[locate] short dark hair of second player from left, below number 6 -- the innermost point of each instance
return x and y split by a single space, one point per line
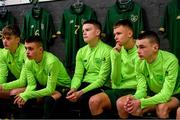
34 39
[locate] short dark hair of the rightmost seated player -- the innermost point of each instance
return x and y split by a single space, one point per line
150 35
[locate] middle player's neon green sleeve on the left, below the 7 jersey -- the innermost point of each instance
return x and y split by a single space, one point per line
79 72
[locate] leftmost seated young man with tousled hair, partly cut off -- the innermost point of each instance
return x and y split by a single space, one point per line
12 59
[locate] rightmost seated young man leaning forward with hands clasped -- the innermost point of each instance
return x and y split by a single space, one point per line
156 73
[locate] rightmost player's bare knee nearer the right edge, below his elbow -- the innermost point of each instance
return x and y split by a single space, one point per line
162 111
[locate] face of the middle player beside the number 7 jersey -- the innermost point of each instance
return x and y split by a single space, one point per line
90 33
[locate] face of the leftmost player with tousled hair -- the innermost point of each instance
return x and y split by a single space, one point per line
10 41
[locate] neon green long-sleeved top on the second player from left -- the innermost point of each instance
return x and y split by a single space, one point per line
49 73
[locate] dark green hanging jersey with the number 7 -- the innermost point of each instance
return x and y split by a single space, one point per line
71 31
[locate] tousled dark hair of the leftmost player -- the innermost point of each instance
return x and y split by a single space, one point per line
11 30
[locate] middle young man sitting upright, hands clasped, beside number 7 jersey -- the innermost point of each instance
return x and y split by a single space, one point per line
92 68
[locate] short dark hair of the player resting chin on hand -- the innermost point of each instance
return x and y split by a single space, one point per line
124 22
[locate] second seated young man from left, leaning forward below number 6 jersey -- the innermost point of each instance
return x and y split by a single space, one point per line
47 79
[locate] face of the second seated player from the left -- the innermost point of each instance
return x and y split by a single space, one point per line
33 50
